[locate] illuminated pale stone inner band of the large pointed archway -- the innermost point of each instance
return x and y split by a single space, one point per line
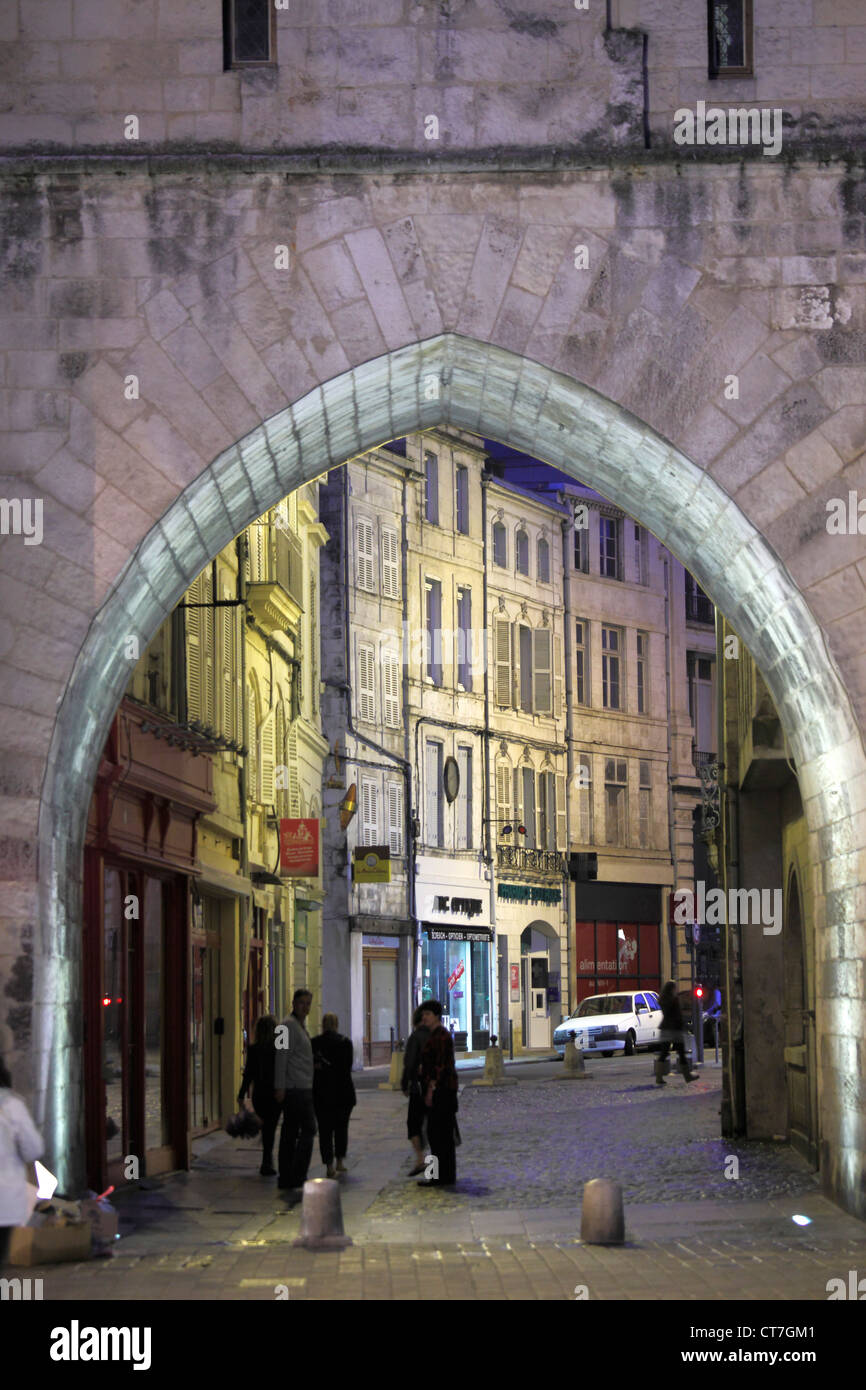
464 383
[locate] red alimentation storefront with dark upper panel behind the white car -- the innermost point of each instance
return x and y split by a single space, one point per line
616 939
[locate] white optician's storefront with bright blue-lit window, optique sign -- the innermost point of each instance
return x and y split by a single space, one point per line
457 949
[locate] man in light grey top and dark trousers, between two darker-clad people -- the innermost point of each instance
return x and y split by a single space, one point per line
294 1090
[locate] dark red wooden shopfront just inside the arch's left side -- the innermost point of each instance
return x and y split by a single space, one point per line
154 783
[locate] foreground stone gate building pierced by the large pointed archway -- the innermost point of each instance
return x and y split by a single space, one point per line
230 265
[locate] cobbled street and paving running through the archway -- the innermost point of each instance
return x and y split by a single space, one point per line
511 1229
